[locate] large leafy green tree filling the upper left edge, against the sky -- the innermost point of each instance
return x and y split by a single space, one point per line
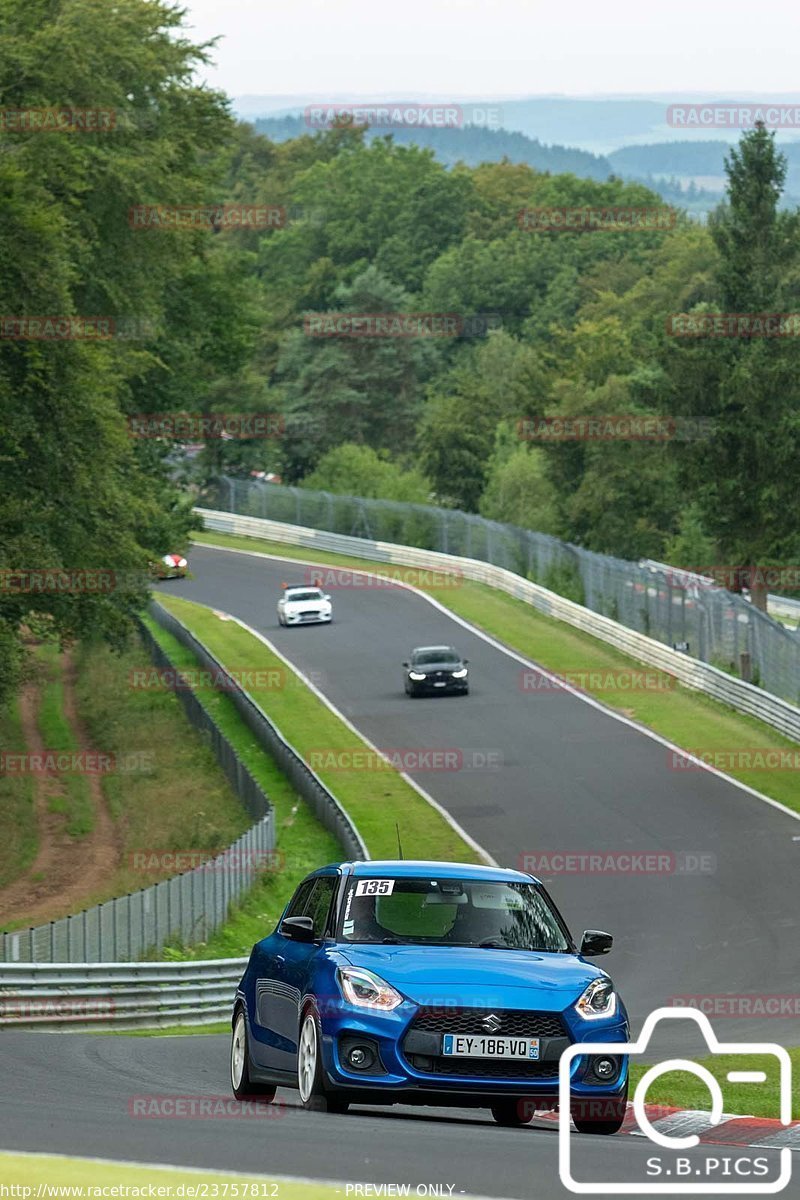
75 494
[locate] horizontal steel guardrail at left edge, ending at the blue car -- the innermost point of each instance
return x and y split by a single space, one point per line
129 997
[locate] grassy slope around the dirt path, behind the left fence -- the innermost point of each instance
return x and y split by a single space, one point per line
181 803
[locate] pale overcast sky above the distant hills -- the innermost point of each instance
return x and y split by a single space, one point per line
501 47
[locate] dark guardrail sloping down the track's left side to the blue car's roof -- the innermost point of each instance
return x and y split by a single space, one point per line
306 783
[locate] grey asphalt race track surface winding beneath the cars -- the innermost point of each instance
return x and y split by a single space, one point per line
539 771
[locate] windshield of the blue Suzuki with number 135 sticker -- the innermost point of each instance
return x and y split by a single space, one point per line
452 913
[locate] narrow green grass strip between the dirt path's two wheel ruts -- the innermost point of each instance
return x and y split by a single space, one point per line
75 802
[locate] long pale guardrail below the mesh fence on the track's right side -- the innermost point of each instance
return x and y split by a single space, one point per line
691 673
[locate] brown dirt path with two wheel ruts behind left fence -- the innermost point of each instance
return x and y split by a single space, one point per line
67 872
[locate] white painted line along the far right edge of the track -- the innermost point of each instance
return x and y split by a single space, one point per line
528 663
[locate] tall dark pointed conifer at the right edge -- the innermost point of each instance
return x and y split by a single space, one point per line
744 478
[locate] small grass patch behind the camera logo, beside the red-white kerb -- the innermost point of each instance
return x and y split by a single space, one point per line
684 1091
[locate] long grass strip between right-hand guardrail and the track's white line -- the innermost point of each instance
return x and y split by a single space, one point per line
683 717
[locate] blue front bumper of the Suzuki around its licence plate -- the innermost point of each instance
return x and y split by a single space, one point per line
408 1069
